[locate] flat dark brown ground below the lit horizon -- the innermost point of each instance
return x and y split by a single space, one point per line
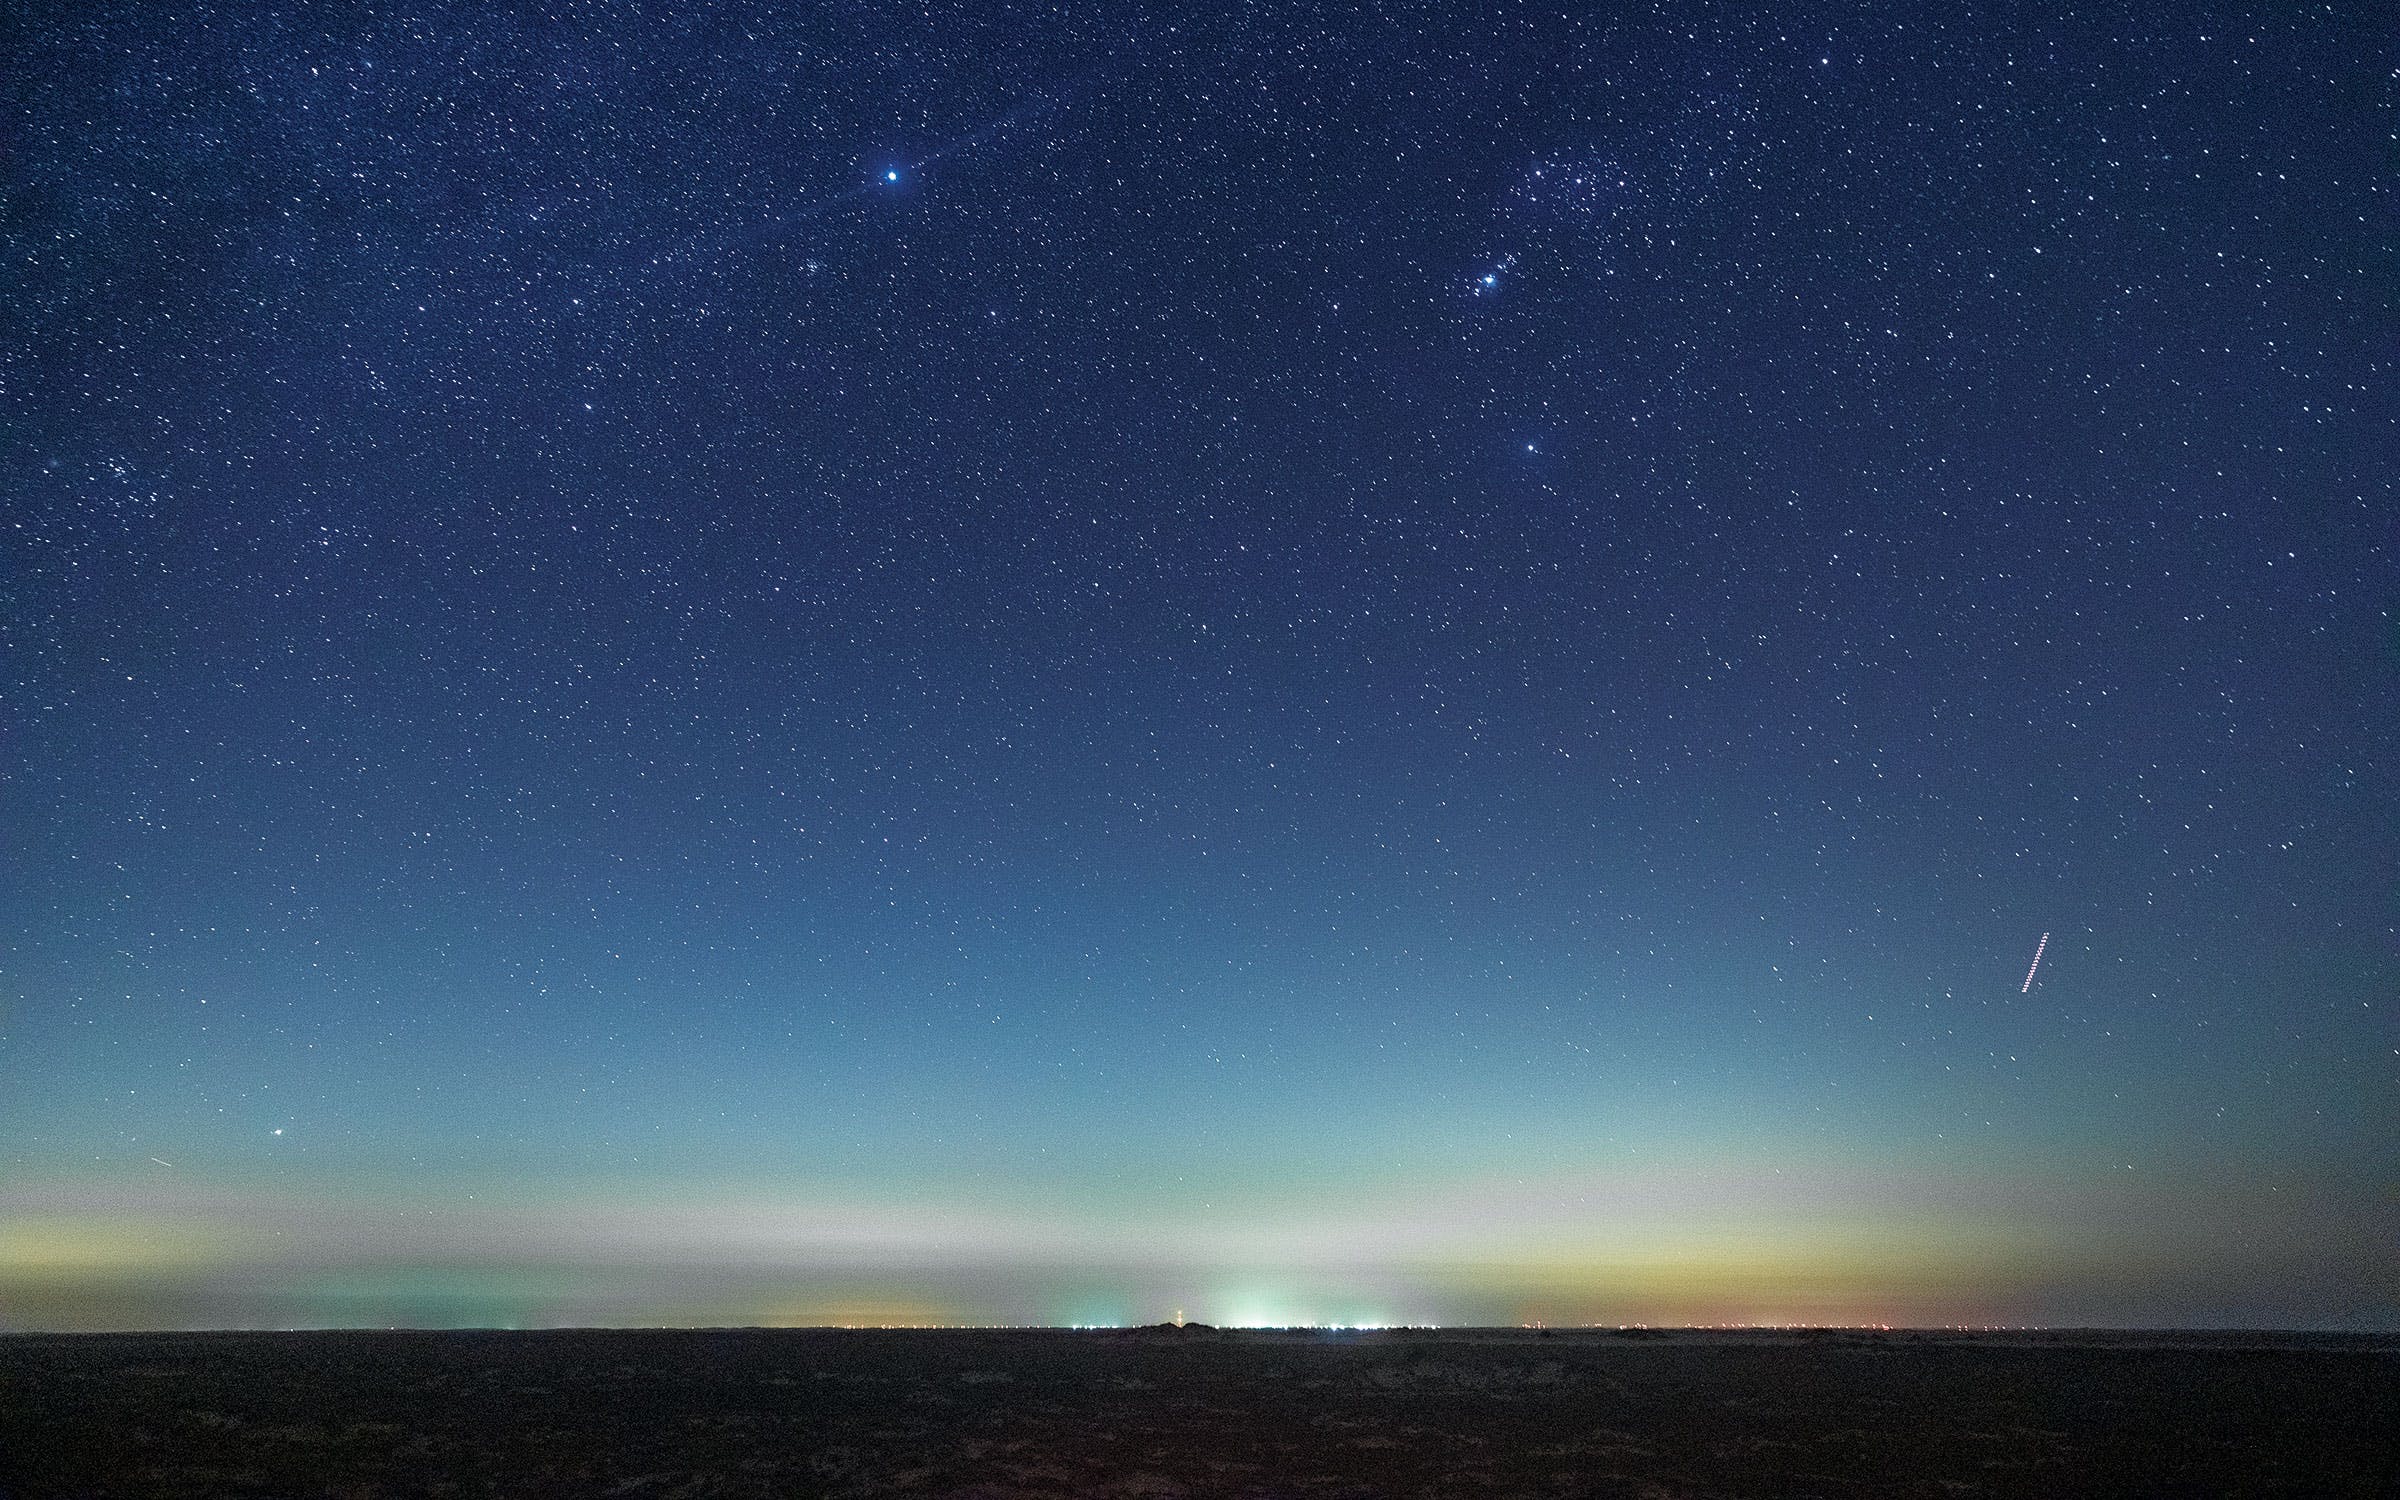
1163 1412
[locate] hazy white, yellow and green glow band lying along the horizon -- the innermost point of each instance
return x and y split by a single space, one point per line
1691 1247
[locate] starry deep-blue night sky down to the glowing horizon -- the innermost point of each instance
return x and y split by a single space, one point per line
1398 664
